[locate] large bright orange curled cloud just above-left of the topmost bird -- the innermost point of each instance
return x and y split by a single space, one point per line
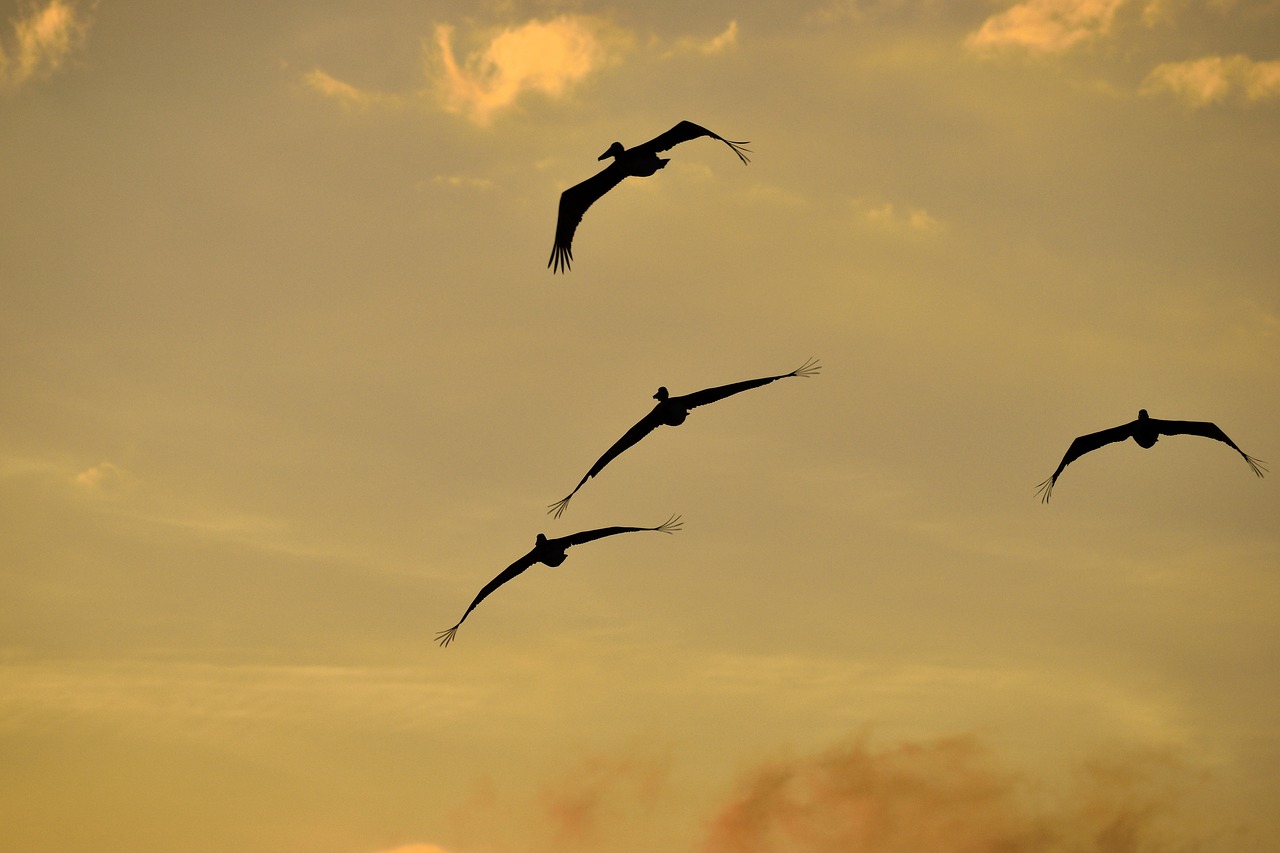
543 57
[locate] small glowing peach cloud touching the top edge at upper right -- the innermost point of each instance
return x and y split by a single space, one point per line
1045 26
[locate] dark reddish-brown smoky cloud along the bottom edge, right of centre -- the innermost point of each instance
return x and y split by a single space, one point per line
948 796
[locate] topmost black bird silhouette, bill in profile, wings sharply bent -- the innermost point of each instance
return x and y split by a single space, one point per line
641 162
